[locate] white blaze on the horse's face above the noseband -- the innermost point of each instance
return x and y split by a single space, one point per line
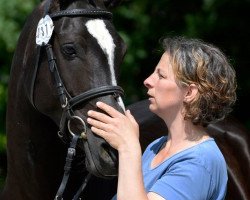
98 30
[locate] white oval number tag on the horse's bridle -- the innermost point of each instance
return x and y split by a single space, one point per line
44 30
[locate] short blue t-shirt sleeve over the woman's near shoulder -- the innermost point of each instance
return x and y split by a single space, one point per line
184 181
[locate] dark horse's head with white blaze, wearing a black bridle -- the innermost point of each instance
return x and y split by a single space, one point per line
86 52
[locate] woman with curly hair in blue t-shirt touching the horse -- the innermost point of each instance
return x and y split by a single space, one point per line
192 85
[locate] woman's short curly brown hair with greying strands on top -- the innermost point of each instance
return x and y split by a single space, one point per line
204 65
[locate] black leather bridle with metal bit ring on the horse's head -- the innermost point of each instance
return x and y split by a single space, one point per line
66 100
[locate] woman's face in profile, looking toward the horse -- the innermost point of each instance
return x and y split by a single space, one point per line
165 95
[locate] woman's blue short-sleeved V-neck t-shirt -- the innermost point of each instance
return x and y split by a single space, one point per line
197 173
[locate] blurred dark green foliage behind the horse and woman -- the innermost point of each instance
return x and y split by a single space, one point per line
141 23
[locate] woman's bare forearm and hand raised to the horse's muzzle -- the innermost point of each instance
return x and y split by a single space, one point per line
122 133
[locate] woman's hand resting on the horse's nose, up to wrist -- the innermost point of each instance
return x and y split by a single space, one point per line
119 130
